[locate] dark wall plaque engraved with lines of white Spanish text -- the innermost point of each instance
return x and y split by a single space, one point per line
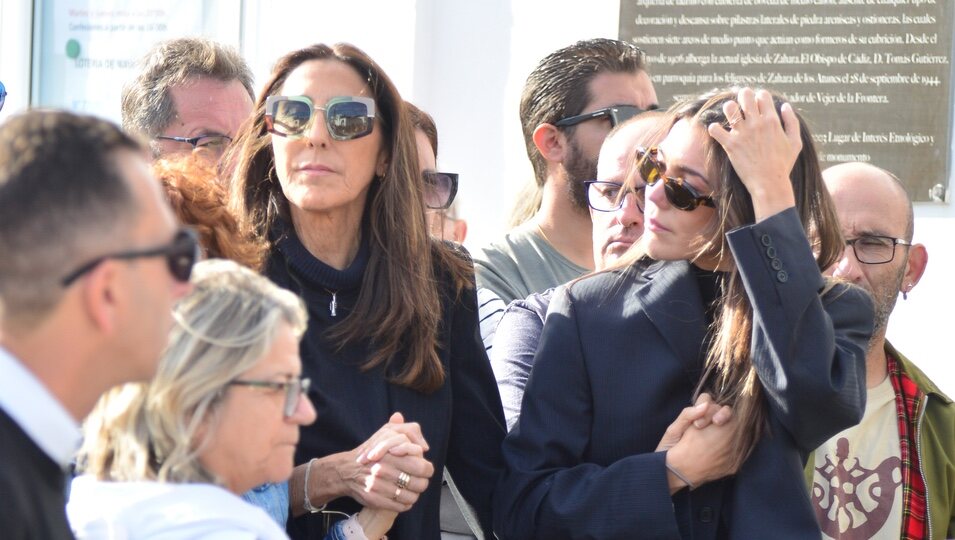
872 77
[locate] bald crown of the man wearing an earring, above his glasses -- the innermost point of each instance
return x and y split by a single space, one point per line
876 193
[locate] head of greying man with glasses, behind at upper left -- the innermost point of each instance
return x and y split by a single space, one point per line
191 94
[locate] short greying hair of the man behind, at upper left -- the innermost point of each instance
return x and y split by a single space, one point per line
147 105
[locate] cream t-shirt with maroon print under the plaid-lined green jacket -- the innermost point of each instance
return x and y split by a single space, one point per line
857 483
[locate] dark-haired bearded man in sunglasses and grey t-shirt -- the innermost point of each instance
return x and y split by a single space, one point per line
570 102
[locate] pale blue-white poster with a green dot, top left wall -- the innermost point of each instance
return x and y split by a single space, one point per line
86 50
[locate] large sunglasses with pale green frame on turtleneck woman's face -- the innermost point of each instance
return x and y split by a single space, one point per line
346 118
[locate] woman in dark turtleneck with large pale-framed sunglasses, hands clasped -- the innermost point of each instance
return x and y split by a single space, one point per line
327 172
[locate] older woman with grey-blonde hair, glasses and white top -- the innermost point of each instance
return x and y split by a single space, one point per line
169 458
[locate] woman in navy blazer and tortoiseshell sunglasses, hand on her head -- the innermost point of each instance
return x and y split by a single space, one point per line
723 295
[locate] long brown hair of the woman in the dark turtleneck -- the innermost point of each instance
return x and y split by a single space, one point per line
399 304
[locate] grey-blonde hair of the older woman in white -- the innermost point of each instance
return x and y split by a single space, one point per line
225 326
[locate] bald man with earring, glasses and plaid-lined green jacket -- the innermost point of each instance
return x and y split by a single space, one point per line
891 475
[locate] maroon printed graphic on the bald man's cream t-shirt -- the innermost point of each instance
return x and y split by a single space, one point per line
852 501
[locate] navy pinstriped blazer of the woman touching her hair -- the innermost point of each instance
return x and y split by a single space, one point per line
620 357
